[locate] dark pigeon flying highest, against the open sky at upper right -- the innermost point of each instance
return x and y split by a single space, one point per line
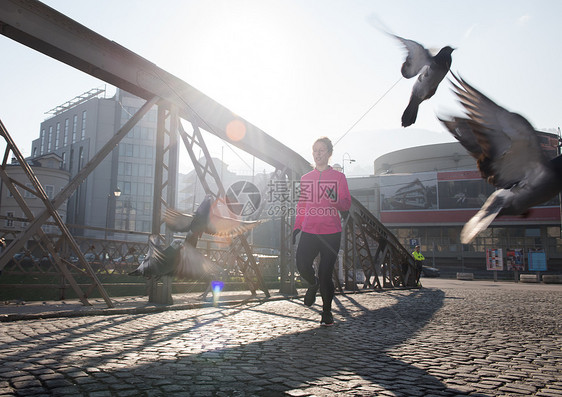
430 71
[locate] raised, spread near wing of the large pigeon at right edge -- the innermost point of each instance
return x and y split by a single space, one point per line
507 140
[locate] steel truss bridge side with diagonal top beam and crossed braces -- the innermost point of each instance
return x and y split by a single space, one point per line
367 245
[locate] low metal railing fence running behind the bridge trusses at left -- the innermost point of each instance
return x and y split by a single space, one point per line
32 268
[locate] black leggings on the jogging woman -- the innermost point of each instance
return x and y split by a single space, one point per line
327 245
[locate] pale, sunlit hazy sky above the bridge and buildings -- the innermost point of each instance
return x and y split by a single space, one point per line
299 69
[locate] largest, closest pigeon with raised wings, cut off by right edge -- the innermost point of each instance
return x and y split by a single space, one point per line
509 156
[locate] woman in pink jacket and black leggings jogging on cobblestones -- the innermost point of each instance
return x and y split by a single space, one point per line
323 192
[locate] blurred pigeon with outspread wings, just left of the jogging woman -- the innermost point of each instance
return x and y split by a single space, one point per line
207 220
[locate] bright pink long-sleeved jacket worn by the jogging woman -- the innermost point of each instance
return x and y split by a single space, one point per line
322 195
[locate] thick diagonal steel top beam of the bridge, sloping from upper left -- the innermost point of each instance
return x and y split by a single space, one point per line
46 30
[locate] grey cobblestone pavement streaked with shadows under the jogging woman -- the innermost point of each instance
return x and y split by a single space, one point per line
448 338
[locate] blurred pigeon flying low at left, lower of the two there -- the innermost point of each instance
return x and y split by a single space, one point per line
178 259
